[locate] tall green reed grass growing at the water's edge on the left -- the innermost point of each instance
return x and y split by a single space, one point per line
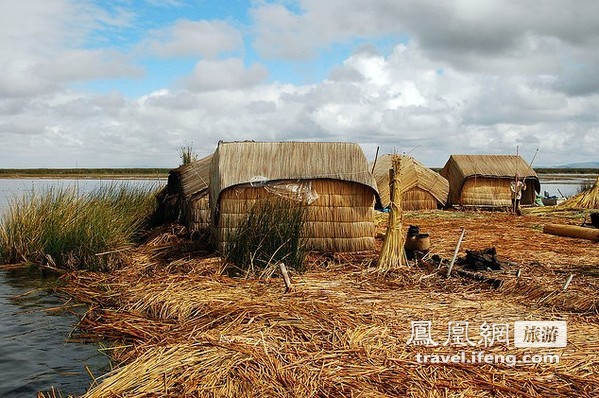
69 230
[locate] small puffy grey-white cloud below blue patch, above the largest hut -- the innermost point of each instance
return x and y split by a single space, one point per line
230 74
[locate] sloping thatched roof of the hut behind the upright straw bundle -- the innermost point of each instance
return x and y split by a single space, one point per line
413 175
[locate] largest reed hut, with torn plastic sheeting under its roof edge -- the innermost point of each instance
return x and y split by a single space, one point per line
332 179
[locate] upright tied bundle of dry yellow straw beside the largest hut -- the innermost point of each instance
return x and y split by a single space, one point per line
392 253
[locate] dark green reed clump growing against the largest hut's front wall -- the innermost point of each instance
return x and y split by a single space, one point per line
271 233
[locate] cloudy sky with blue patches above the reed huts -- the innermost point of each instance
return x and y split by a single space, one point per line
128 83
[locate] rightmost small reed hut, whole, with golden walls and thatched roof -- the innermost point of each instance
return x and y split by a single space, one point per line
484 180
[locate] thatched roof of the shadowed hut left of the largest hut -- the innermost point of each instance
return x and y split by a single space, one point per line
193 179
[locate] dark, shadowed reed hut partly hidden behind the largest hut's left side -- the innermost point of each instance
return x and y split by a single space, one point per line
186 196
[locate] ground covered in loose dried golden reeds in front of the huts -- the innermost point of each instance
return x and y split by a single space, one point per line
180 328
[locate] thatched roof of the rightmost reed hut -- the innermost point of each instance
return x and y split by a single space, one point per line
459 168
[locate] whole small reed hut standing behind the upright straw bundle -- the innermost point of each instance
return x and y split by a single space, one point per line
421 187
